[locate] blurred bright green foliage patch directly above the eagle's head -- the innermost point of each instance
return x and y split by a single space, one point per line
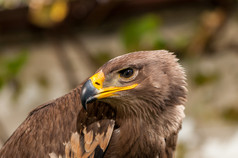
138 33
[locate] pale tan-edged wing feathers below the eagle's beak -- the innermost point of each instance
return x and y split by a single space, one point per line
83 146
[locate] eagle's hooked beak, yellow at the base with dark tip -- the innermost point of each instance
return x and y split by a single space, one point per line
93 89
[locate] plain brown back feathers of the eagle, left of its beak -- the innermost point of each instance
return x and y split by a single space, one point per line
45 129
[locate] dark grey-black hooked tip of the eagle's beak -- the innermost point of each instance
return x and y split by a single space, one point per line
88 93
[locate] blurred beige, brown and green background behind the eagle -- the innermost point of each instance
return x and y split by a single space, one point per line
48 47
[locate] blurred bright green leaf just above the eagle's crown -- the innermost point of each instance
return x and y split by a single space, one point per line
135 30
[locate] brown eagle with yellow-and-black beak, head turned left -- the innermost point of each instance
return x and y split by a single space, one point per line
132 106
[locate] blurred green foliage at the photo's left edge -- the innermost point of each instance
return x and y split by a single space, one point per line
9 67
